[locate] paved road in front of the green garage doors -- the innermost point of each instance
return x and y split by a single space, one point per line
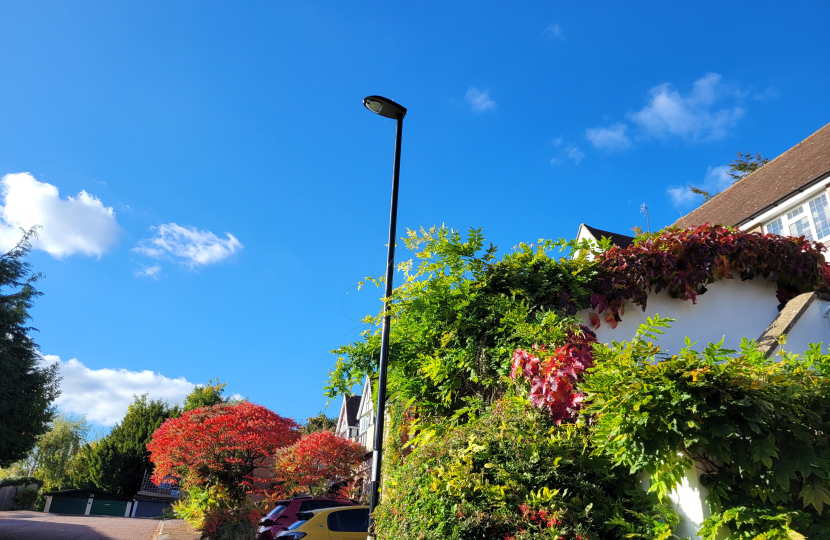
21 525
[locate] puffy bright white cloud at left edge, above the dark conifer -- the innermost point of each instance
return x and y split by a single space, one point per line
80 224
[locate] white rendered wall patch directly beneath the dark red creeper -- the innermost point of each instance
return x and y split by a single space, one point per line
730 307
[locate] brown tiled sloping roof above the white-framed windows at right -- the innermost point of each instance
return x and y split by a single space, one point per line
802 165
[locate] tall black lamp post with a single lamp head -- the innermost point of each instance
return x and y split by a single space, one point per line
389 109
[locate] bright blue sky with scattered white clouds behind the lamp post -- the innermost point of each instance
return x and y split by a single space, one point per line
228 188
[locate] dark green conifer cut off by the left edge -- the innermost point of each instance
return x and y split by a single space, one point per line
27 388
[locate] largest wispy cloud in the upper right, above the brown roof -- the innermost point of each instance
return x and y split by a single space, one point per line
691 116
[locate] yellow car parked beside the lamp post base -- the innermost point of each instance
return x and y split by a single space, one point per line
340 523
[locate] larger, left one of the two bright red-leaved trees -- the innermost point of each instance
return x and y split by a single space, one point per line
220 445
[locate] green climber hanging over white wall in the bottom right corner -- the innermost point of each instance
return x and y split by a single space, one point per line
757 428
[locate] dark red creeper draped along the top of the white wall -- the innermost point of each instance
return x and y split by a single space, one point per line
684 262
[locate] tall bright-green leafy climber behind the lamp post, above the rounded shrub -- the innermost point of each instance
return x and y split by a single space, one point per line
460 314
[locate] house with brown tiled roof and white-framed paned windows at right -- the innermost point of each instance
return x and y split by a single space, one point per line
787 196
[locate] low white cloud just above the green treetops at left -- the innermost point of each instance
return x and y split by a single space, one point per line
103 395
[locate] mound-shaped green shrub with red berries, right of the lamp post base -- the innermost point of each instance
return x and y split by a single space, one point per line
512 474
